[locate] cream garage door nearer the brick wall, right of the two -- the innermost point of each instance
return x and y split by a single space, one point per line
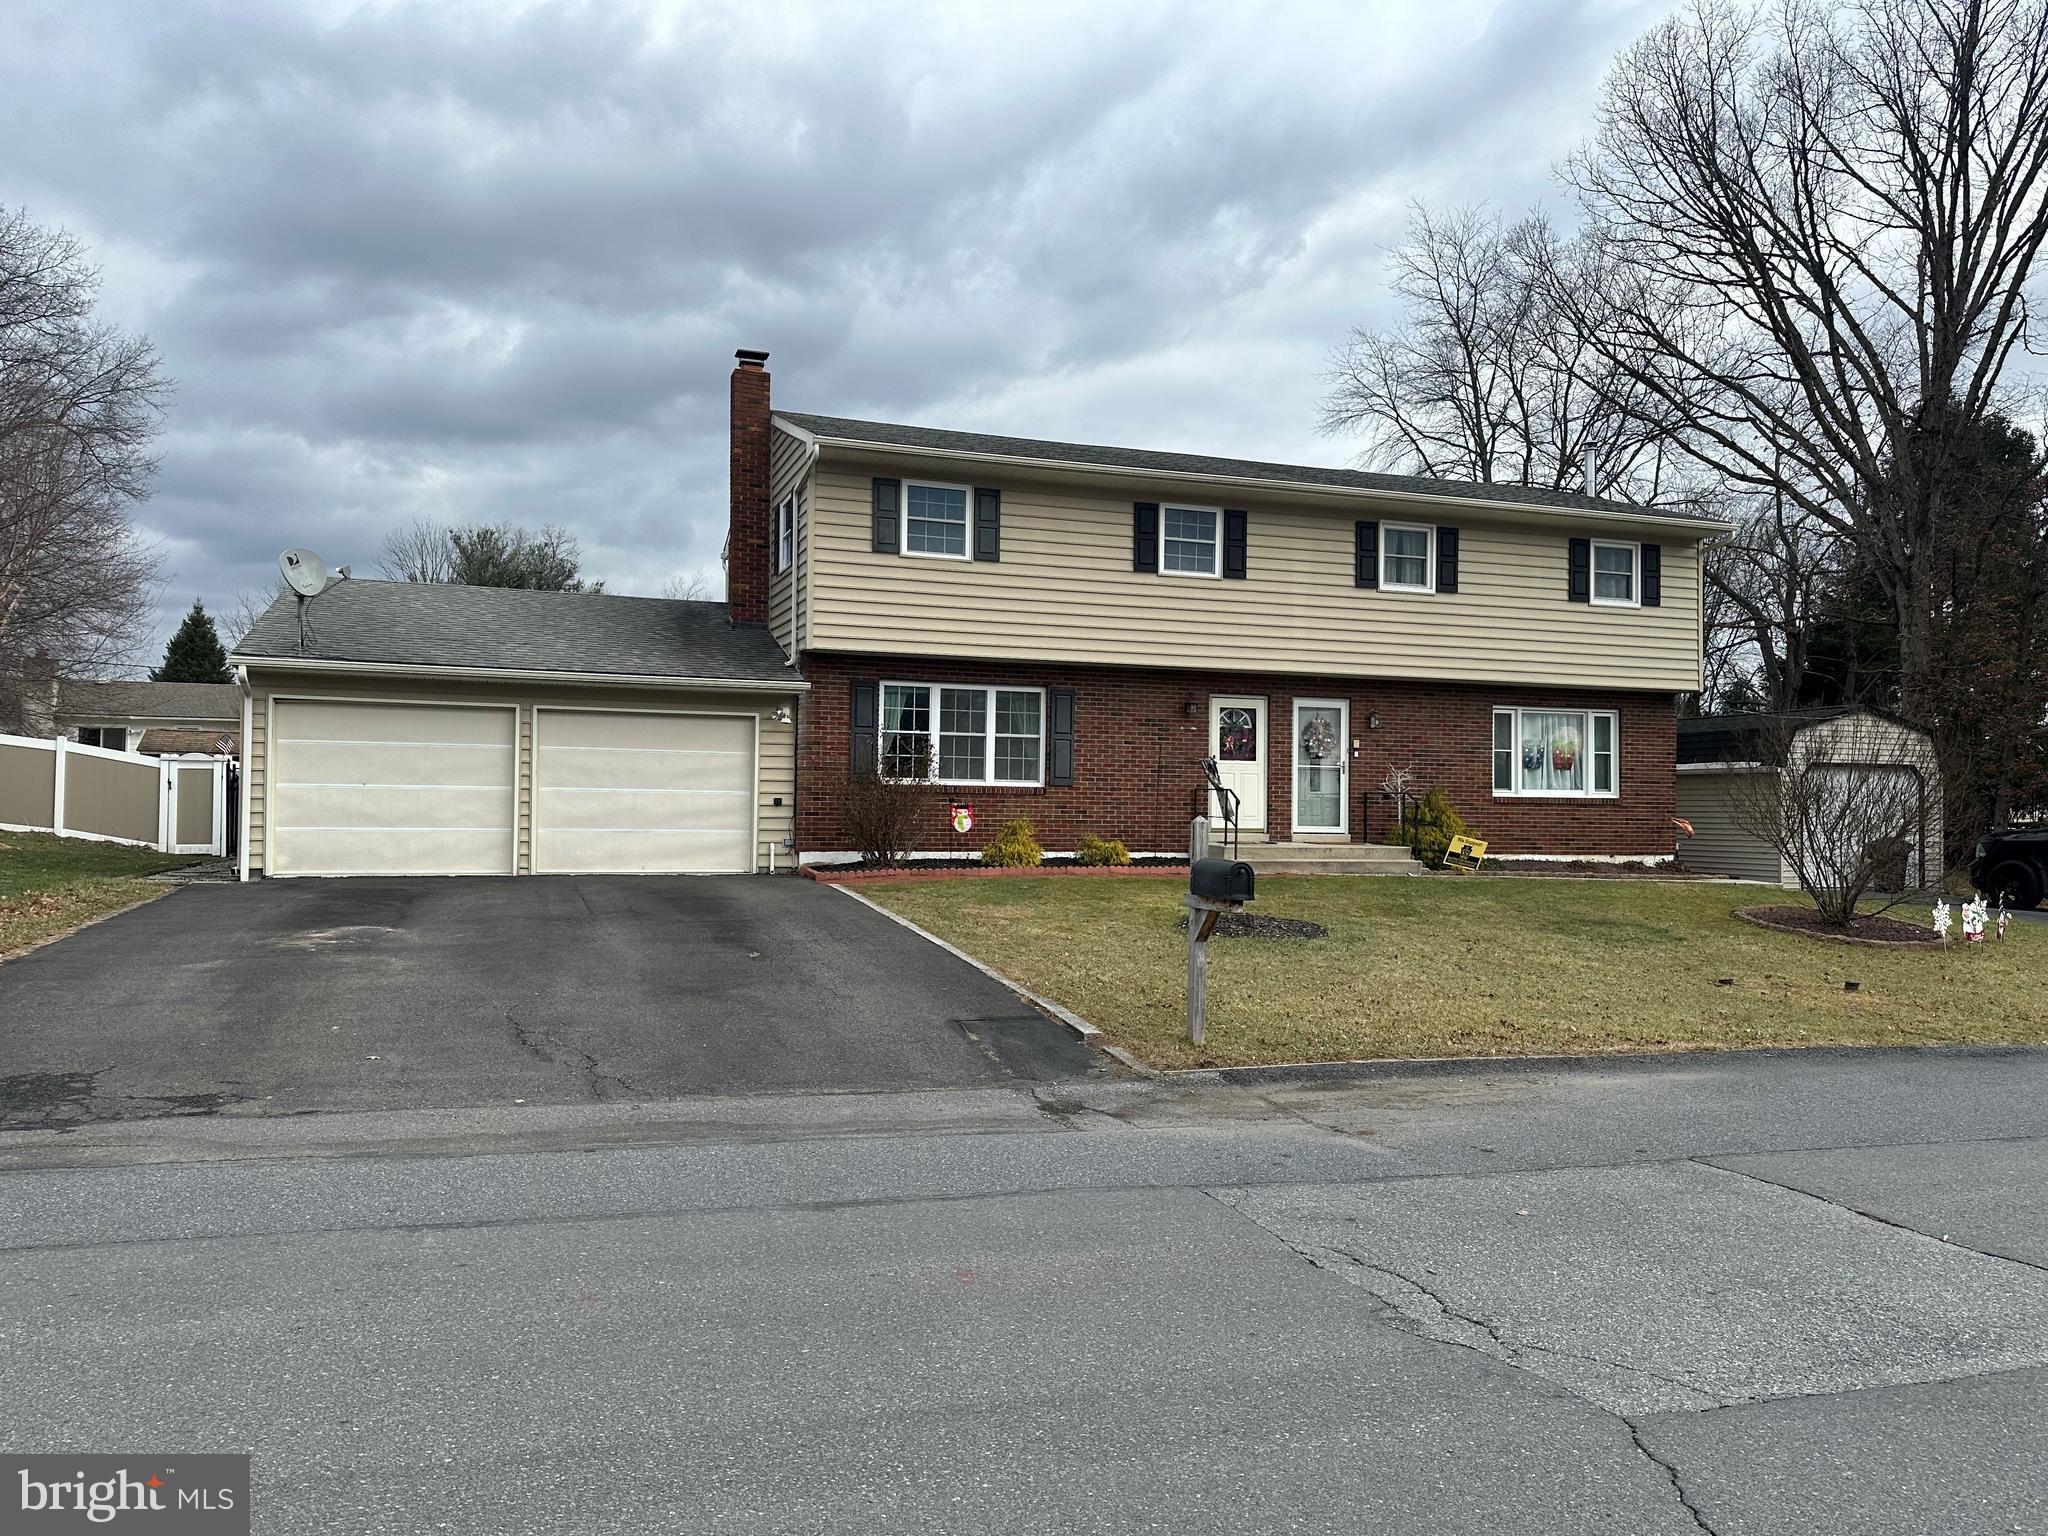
617 792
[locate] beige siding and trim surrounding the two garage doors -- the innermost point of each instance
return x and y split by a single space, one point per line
777 742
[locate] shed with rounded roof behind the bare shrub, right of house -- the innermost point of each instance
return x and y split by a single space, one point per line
1717 755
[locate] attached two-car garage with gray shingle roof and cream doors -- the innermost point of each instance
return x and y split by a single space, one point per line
419 728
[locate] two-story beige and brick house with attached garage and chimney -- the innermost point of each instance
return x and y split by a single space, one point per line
1052 630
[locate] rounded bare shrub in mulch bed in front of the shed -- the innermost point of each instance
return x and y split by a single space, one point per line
1840 810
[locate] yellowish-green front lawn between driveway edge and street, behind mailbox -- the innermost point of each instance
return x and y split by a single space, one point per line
1447 968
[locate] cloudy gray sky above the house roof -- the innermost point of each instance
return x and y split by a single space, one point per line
490 261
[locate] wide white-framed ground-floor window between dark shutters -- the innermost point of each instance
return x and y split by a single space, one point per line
964 736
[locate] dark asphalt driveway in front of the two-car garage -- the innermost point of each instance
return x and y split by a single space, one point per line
294 996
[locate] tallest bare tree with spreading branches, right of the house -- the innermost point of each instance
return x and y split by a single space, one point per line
1818 232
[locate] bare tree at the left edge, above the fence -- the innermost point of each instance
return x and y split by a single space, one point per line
79 411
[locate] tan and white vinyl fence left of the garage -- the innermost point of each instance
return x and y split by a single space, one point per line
177 806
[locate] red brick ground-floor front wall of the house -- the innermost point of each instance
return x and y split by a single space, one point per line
1138 761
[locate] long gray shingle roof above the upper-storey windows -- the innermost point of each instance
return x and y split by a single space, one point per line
888 435
